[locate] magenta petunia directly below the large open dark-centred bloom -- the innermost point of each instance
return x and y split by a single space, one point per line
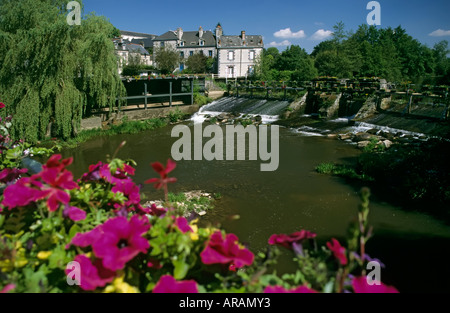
92 275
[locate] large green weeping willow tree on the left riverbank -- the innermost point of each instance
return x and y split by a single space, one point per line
51 73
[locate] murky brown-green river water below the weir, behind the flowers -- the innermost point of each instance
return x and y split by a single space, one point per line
414 246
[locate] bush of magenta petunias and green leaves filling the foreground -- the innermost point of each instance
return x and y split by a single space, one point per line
49 222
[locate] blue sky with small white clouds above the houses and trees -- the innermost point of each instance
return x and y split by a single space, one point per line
298 22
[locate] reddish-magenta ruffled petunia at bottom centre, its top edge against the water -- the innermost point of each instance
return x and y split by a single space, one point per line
226 251
